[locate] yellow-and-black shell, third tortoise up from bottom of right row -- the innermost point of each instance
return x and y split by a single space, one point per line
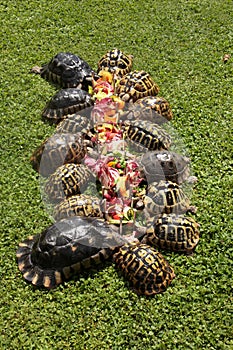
166 197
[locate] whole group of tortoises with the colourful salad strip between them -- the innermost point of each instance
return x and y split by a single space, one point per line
114 184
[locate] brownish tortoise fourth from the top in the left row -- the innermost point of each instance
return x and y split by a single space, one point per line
57 150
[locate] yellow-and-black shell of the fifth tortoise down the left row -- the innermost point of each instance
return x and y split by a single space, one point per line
68 180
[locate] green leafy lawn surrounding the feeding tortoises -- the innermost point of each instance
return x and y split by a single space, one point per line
181 43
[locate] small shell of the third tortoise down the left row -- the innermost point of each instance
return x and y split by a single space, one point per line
73 124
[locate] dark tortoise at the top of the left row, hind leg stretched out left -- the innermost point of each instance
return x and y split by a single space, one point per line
67 70
